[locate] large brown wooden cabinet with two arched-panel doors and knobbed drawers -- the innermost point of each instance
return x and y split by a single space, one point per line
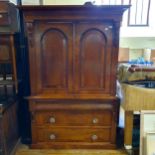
73 53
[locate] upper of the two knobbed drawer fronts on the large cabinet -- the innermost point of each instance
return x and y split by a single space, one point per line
74 117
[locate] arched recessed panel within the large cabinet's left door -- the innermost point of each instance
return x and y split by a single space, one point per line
54 61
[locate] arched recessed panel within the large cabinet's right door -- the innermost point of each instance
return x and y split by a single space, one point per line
91 56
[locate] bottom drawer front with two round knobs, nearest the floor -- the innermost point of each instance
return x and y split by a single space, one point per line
70 134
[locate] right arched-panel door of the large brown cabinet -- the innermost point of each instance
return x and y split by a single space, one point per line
93 54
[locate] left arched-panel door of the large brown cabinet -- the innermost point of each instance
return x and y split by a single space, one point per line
54 57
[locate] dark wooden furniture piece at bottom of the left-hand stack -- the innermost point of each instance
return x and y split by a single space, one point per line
8 126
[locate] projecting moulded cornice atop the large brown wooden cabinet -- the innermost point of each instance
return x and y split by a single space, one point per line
73 12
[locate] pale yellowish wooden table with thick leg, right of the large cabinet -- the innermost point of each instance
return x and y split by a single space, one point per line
135 100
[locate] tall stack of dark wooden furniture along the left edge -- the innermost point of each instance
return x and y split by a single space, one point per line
8 79
